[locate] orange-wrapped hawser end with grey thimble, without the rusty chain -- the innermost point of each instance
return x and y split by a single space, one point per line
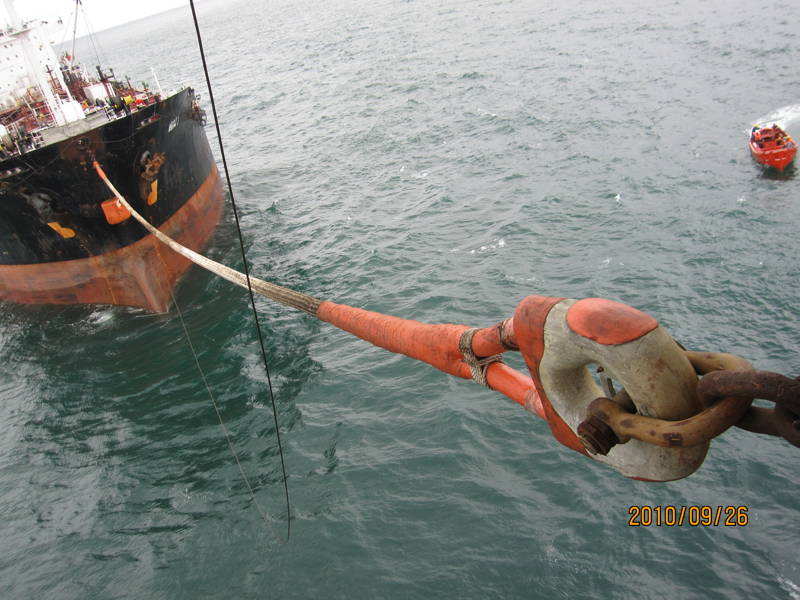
558 338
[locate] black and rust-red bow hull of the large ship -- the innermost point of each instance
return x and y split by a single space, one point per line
59 243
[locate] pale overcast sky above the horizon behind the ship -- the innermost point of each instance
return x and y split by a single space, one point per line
101 14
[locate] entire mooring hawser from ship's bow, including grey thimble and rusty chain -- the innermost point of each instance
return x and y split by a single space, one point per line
656 428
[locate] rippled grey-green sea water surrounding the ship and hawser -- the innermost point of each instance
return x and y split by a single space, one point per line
437 161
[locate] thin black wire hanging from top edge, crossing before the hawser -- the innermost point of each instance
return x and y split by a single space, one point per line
244 261
